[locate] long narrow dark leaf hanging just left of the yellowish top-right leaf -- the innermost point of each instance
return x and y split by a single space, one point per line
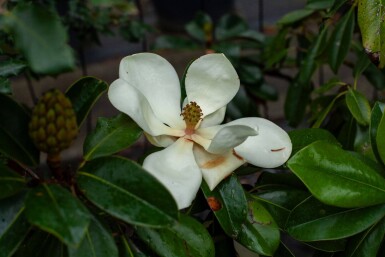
340 40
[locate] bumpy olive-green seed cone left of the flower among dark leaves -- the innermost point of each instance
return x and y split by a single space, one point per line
53 124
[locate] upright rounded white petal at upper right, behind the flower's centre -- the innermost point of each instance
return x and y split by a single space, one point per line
211 81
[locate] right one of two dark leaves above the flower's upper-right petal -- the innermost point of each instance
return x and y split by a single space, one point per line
229 26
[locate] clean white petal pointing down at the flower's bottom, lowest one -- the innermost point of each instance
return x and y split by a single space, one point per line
176 168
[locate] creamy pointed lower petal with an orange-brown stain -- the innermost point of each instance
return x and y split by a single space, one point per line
216 167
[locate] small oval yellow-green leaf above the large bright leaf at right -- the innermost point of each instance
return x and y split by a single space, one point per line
359 106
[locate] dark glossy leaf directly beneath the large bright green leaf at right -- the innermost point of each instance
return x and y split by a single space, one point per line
314 221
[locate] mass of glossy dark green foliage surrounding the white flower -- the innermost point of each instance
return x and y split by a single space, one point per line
329 198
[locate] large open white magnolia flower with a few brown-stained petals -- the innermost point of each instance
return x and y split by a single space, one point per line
148 91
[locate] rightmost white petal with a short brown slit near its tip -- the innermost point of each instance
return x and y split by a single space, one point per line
269 149
